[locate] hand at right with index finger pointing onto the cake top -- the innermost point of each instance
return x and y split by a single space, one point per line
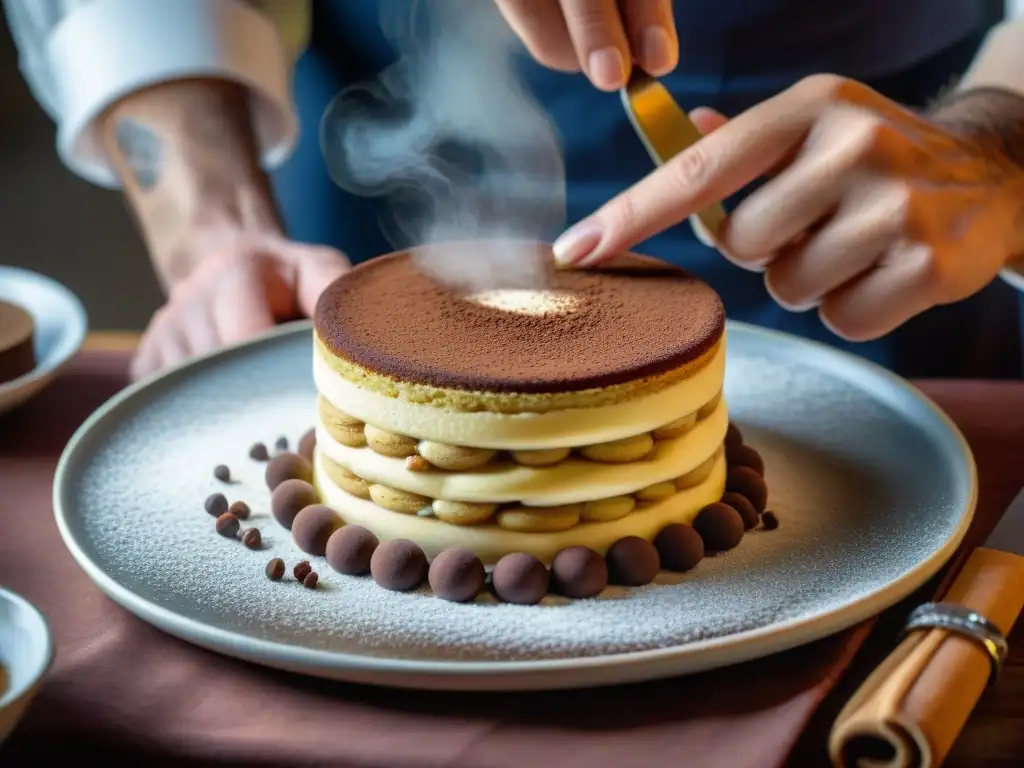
871 214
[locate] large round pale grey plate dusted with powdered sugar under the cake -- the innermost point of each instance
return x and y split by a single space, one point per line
874 486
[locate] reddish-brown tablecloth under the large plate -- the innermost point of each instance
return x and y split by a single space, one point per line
121 691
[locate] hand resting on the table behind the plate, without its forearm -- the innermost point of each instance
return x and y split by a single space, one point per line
240 288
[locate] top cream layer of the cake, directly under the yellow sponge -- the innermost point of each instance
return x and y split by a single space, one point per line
528 432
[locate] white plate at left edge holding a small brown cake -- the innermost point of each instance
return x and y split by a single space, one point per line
61 329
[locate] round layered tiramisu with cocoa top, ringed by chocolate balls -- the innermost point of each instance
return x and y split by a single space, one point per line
562 439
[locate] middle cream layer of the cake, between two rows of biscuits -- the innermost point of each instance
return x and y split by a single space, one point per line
571 481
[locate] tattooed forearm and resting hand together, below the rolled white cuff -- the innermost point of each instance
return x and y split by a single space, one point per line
187 154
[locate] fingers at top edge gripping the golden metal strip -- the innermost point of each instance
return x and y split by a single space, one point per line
603 38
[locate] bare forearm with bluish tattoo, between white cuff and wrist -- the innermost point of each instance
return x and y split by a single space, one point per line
189 156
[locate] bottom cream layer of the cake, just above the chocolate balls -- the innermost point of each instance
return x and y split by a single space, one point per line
491 542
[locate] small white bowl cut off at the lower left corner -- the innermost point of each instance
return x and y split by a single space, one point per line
26 654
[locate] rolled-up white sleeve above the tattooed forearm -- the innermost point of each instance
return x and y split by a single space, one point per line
81 57
